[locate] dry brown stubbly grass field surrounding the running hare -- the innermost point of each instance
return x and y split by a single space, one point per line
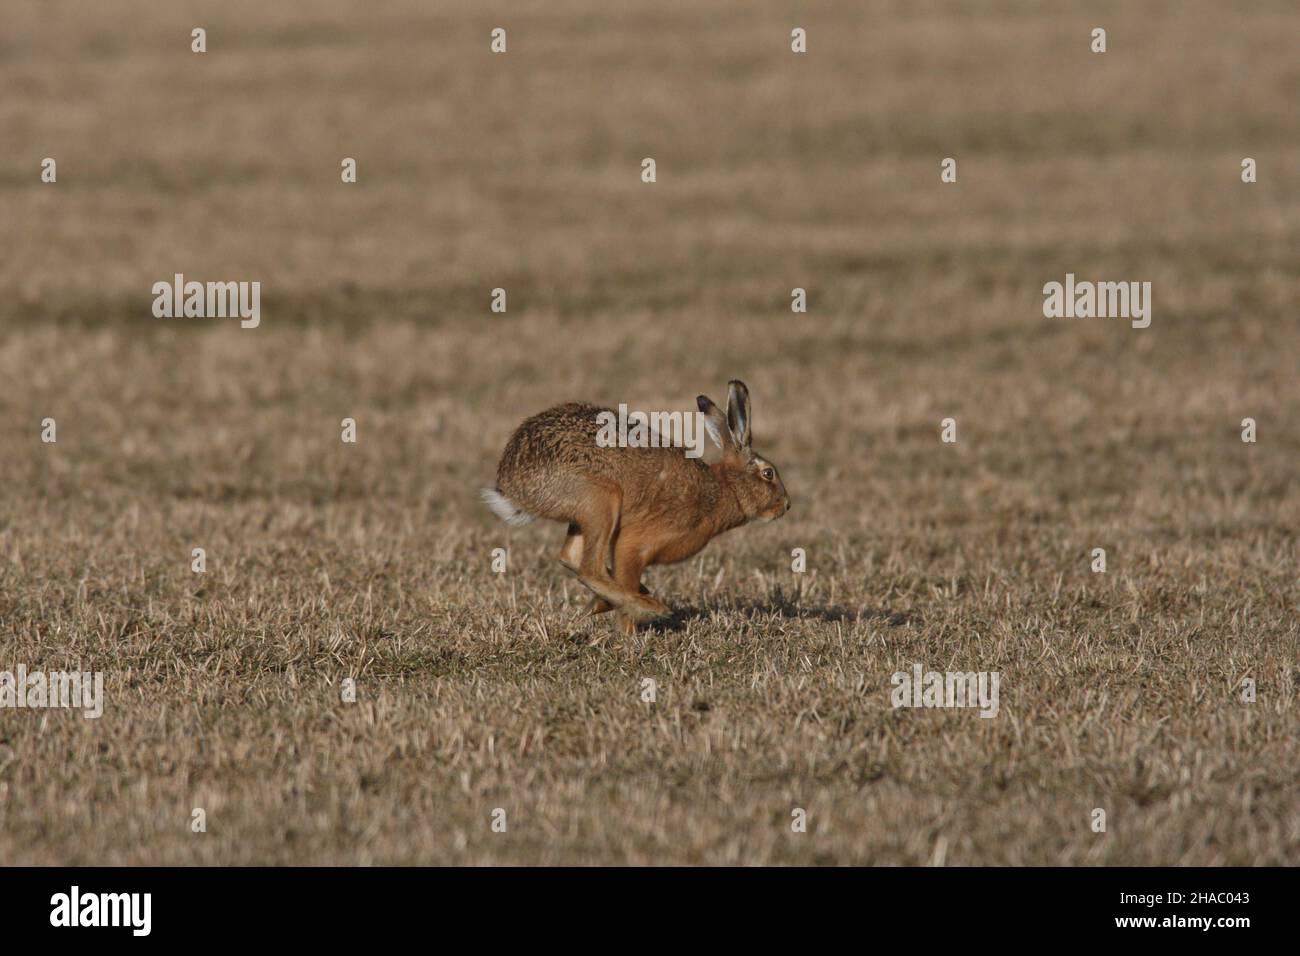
522 171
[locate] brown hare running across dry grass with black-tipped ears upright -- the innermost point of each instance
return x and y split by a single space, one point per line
630 508
